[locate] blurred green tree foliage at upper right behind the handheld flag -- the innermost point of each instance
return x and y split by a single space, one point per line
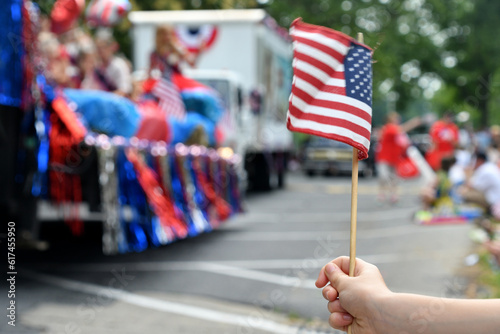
423 48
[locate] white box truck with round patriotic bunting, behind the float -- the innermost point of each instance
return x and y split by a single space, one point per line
247 58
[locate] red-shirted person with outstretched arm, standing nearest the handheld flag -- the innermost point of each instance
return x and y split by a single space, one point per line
392 145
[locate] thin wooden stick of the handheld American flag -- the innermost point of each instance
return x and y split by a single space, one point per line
354 205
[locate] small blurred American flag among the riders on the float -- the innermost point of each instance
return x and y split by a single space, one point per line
170 98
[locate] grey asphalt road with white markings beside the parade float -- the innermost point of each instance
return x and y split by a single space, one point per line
253 275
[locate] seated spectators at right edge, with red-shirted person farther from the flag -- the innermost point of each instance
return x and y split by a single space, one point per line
468 172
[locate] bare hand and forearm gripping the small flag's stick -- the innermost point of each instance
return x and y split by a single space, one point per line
370 307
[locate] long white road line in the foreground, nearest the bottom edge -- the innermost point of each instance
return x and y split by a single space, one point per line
165 306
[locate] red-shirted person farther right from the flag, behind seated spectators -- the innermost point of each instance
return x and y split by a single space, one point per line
444 135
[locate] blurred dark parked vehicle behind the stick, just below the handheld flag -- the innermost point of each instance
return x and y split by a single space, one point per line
330 157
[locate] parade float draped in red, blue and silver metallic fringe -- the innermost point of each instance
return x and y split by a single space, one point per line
84 155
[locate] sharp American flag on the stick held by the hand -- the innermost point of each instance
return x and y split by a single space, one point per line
332 86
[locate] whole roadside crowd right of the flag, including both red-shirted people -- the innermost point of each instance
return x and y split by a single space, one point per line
466 166
